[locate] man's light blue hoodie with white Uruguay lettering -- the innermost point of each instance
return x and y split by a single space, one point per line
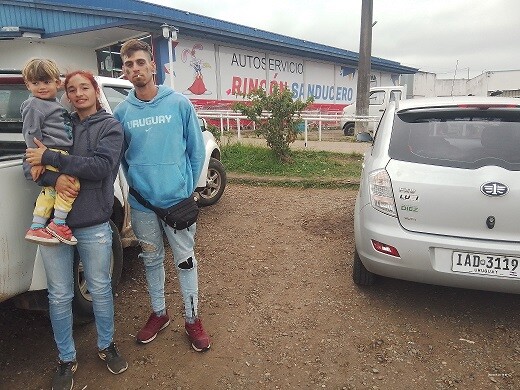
163 148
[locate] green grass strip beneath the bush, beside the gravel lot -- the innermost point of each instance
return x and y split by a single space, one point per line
307 168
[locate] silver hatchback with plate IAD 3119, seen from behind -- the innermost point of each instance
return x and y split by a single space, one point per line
439 198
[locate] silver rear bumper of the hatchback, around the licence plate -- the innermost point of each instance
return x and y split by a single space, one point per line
425 258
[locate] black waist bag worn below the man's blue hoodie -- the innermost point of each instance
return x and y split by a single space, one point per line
179 216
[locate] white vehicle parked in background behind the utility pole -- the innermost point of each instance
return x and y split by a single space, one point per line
378 100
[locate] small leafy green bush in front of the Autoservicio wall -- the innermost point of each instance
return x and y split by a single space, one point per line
275 116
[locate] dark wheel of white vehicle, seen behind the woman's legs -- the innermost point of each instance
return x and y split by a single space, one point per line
82 303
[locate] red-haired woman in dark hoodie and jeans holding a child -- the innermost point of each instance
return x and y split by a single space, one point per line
94 161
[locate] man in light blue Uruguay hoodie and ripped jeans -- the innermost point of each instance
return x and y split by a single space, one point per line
163 159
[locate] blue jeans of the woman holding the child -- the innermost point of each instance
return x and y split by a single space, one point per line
95 250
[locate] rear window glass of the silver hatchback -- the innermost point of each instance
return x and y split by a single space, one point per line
459 137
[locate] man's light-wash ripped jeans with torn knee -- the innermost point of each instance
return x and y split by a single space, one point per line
148 228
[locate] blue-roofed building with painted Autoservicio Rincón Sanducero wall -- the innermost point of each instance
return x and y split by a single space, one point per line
214 62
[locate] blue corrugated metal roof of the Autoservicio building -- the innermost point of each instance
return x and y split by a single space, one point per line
61 17
